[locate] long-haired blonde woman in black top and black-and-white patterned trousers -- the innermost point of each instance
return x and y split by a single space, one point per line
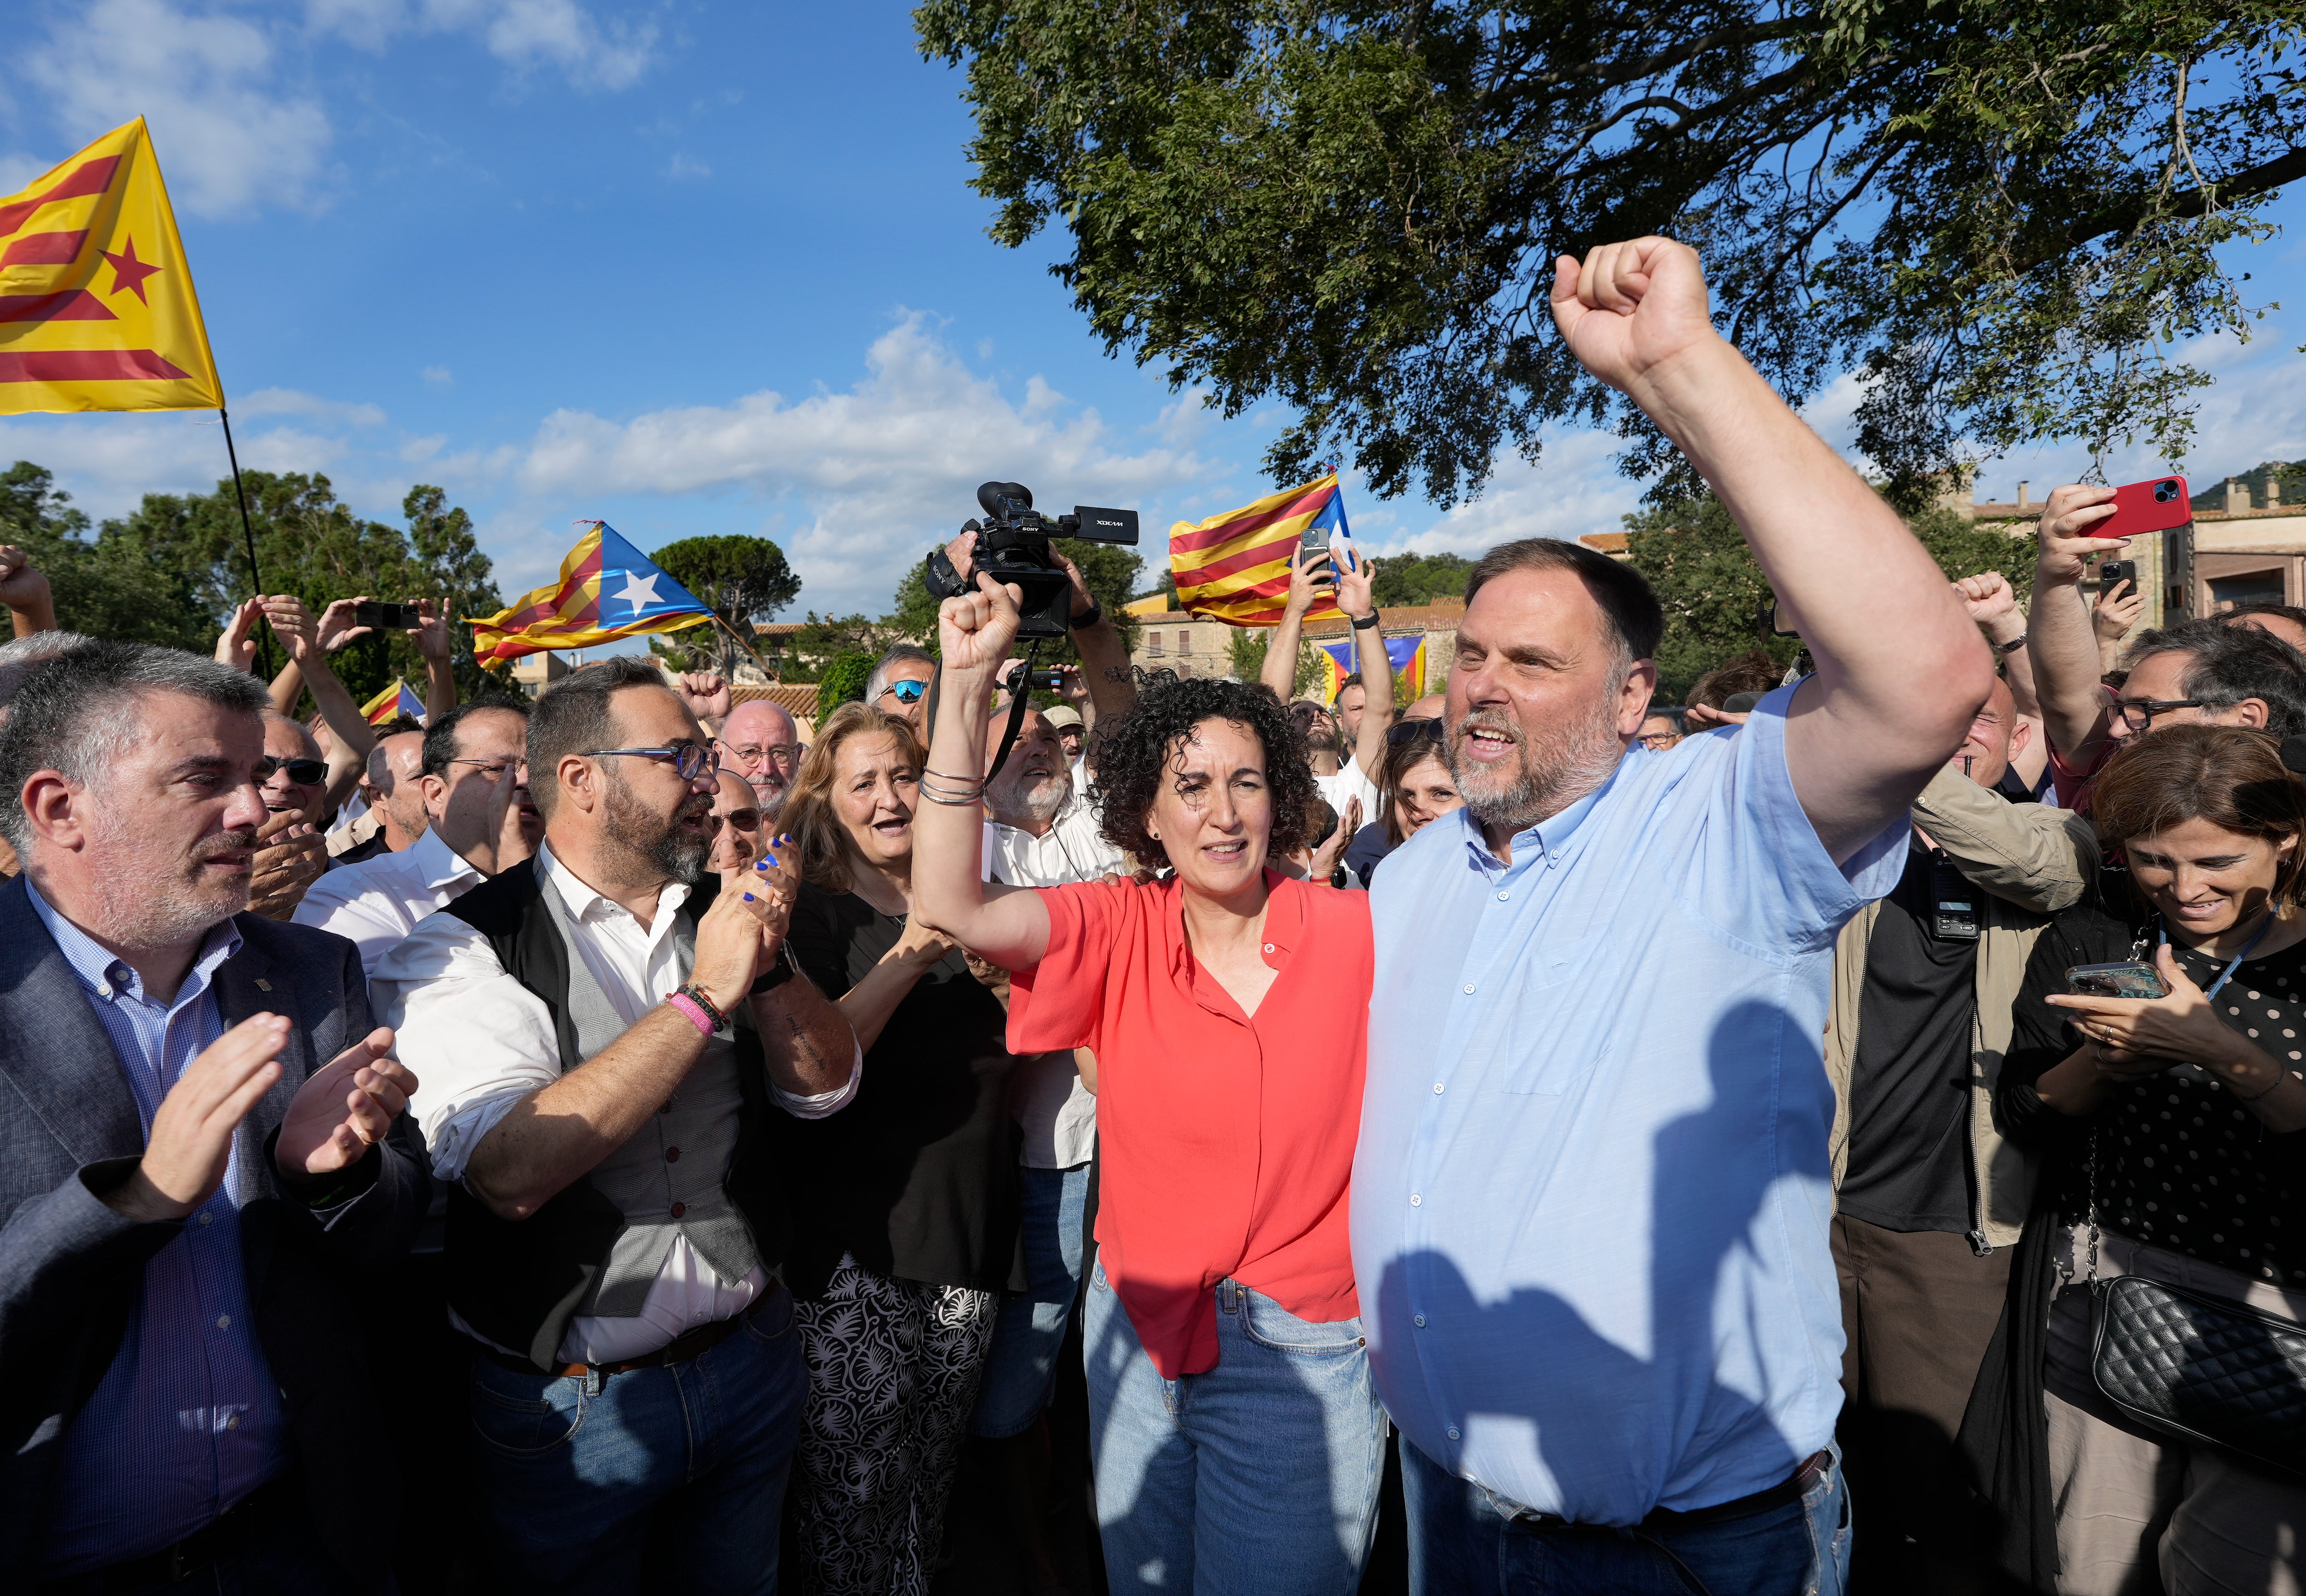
905 1203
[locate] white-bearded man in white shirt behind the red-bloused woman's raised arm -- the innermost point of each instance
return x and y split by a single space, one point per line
1041 834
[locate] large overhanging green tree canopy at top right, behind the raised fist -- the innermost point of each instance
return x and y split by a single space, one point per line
2000 211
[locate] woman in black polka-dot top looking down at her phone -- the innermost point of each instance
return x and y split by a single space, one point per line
2176 1189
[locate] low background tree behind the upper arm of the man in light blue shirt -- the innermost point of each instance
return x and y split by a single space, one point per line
1712 589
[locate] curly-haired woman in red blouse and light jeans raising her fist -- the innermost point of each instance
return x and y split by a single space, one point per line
1237 1433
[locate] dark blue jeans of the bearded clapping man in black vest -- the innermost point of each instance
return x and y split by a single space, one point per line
575 1480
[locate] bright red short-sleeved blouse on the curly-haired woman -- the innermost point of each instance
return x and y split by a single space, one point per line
1226 1138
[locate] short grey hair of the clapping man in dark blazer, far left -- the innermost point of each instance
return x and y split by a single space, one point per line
80 714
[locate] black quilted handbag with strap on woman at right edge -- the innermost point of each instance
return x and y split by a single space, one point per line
2194 1367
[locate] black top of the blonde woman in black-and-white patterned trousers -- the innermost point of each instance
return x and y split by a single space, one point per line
919 1175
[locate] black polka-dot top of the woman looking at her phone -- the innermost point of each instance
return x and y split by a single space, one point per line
2180 1161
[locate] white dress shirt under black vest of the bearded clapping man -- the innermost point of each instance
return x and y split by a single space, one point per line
481 1044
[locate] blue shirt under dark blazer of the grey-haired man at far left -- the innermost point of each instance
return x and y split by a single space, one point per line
188 1417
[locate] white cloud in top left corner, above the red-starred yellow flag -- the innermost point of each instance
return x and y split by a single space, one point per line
227 135
